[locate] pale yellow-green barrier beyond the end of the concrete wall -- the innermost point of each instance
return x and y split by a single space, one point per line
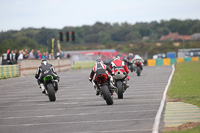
83 64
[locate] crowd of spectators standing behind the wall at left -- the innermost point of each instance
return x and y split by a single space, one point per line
13 55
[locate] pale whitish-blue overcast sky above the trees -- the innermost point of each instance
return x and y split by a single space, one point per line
18 14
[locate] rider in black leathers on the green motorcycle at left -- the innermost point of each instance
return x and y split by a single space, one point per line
43 70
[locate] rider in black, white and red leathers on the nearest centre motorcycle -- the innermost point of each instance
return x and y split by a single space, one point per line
101 68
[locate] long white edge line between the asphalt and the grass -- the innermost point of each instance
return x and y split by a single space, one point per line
162 104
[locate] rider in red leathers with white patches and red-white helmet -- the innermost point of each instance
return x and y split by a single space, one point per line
117 63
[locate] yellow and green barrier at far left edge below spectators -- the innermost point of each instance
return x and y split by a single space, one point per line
8 71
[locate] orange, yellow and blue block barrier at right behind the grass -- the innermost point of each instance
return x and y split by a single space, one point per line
169 61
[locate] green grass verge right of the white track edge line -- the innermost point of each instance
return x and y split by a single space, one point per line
186 83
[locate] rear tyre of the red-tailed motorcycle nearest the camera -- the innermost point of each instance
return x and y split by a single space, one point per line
106 95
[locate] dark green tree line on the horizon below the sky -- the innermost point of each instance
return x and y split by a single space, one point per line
99 35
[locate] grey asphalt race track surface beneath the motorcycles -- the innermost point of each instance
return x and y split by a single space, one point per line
24 109
